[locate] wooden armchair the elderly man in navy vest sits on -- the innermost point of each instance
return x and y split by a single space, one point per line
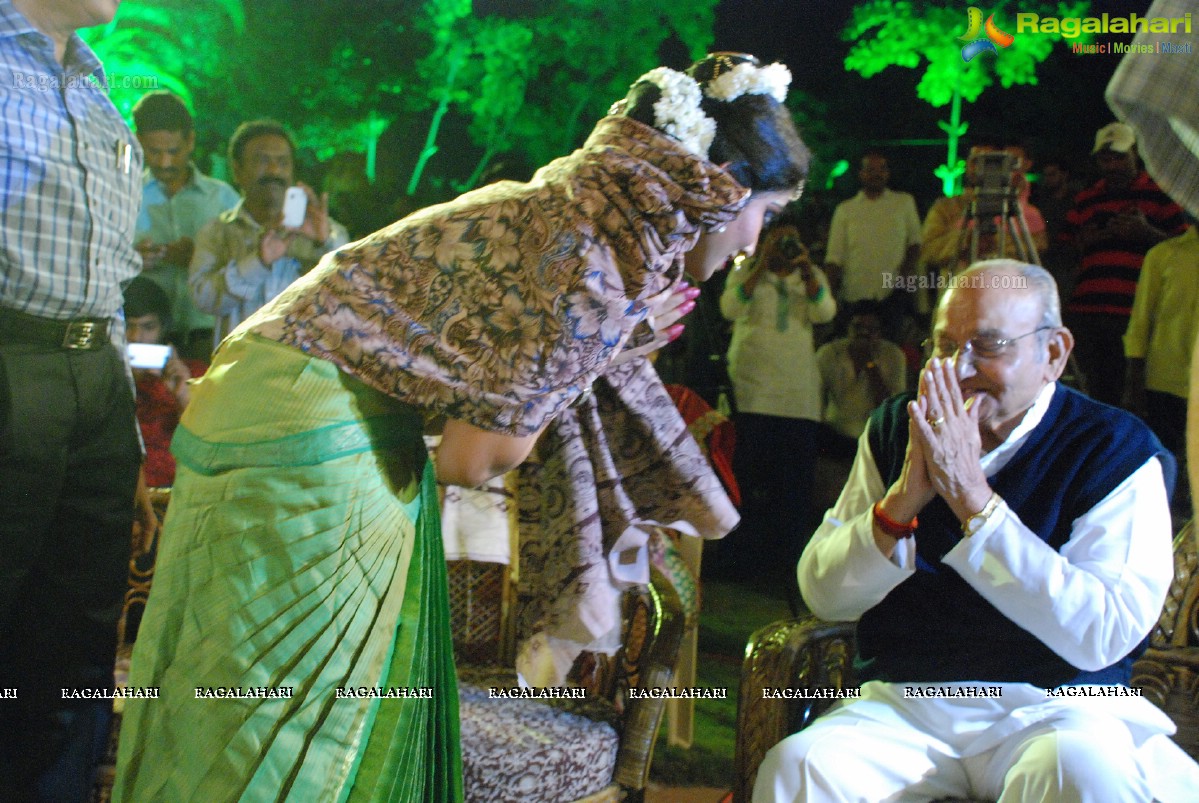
810 654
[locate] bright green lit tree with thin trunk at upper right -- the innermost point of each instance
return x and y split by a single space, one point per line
926 37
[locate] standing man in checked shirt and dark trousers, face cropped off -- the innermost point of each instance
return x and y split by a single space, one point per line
70 456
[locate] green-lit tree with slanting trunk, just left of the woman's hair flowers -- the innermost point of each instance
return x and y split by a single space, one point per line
532 84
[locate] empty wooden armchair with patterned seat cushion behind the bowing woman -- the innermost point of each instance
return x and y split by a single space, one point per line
558 751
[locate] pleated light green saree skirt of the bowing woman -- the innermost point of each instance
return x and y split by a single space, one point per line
300 578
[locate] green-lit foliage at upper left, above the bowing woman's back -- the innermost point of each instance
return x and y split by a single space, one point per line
466 90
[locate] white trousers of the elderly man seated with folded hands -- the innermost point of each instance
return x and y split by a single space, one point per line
884 748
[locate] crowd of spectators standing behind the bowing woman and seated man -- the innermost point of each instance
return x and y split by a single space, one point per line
802 349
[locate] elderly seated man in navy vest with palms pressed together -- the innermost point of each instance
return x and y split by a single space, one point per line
1004 545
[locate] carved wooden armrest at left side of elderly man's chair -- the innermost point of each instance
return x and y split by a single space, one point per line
806 655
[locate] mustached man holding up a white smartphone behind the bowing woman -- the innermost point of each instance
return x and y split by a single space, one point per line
249 255
